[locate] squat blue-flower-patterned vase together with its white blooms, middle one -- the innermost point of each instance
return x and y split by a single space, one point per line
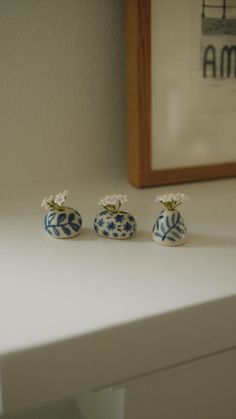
113 223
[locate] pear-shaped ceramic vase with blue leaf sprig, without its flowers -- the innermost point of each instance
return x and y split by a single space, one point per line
169 229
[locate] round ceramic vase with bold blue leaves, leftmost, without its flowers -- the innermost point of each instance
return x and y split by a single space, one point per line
63 224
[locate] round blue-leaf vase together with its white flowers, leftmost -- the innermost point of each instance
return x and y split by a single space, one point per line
61 222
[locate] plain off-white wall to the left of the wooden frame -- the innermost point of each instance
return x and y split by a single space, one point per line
62 88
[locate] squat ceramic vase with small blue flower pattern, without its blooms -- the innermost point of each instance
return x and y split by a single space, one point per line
117 225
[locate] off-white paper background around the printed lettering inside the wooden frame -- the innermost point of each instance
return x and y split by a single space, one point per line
193 119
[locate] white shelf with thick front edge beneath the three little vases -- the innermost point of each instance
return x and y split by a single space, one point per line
104 311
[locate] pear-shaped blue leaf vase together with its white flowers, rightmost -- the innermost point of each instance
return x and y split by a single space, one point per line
169 228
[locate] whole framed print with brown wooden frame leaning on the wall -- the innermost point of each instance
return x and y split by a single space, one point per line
181 59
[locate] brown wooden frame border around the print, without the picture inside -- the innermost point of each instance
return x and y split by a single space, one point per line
141 174
